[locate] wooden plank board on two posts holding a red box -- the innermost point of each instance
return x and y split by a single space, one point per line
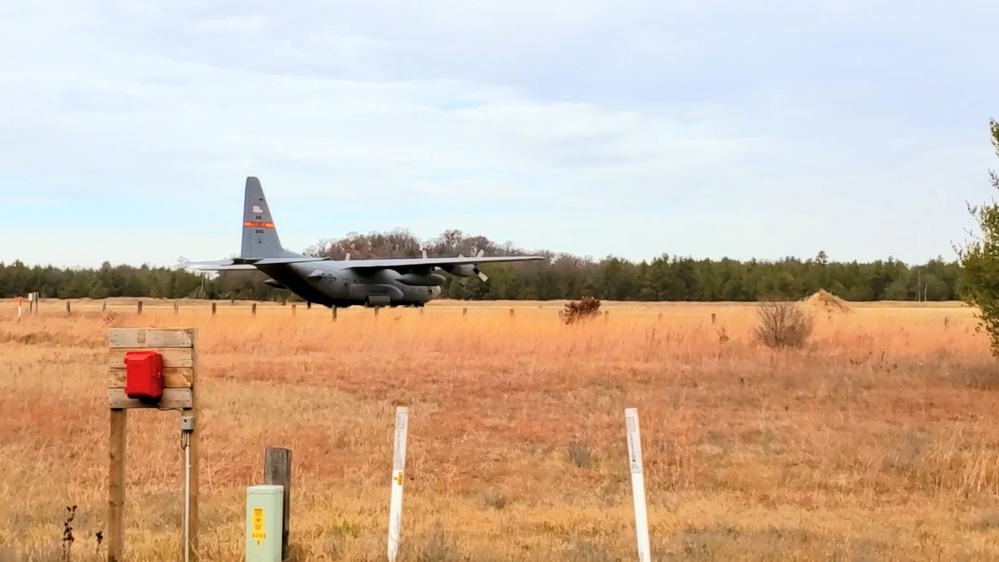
152 368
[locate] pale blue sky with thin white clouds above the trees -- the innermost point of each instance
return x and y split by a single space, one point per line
707 129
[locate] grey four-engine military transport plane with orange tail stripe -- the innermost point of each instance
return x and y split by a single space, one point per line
340 283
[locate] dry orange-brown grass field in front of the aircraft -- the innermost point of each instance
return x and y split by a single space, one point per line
877 441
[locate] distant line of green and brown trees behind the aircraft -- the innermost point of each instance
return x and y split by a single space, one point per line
665 278
